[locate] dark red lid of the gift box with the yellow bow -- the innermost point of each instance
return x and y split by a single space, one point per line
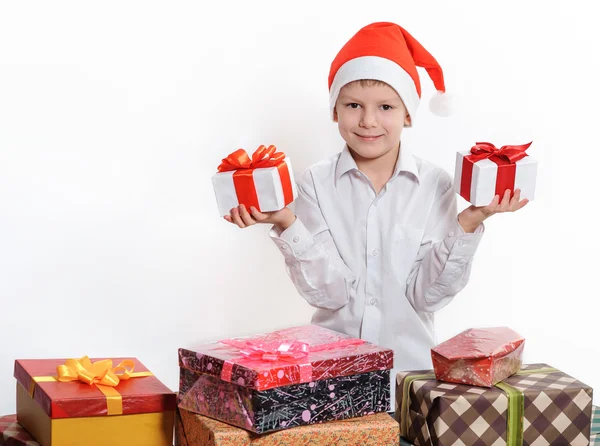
77 399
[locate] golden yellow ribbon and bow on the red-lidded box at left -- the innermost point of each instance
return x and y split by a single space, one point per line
100 373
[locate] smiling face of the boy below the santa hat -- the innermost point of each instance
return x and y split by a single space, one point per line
370 118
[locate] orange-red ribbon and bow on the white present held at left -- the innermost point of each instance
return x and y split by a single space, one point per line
243 177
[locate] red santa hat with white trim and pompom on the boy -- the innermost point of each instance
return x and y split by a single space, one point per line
386 52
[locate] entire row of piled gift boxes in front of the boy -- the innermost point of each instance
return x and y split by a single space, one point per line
305 385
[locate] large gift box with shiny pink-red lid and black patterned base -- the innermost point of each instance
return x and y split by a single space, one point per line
287 378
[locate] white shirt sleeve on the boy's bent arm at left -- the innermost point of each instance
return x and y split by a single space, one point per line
311 257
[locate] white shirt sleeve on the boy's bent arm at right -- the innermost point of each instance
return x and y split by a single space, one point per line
445 256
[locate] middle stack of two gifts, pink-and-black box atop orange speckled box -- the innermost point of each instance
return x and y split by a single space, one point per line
295 381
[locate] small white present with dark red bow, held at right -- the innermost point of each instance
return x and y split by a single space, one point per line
485 171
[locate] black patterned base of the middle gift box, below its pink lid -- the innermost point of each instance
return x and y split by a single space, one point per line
285 407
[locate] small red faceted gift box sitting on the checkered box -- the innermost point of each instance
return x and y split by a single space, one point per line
480 357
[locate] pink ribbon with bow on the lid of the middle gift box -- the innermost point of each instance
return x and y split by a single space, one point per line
258 352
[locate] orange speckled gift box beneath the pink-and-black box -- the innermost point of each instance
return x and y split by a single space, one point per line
372 430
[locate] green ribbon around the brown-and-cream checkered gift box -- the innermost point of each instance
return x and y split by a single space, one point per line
515 412
